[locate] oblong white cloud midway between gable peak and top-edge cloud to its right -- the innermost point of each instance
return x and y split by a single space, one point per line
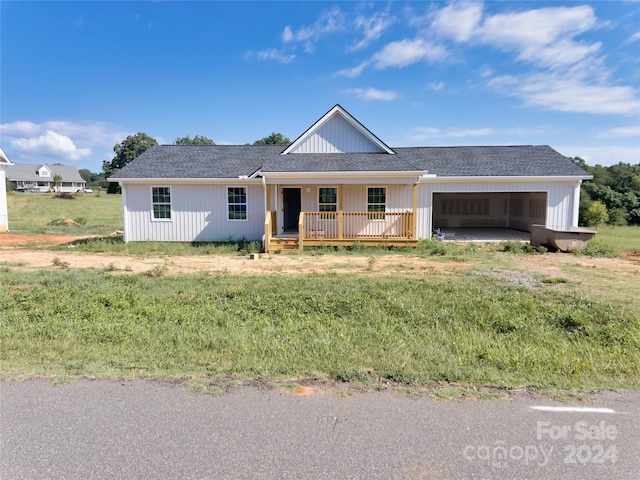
406 52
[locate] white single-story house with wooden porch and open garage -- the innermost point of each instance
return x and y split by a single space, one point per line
337 184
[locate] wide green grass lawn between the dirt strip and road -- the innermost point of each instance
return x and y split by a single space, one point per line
455 328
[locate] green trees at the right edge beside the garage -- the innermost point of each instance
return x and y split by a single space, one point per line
612 196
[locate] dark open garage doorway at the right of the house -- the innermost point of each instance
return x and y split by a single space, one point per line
506 210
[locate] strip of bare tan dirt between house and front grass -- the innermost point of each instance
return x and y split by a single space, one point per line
18 252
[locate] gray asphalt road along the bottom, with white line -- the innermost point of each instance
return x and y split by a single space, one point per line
146 429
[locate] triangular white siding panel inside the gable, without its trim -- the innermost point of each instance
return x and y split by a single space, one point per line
337 136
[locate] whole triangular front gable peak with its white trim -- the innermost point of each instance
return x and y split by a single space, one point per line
340 132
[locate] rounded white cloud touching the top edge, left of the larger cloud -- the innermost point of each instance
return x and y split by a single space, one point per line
458 20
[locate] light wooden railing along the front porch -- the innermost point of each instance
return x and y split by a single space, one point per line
356 225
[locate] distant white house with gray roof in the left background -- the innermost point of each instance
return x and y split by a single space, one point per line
40 178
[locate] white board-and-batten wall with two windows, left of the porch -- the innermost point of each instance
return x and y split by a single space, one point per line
198 214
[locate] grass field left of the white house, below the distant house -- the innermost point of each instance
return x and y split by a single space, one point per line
37 214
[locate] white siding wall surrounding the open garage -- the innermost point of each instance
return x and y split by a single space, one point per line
560 198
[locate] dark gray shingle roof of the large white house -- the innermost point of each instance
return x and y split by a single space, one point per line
233 161
